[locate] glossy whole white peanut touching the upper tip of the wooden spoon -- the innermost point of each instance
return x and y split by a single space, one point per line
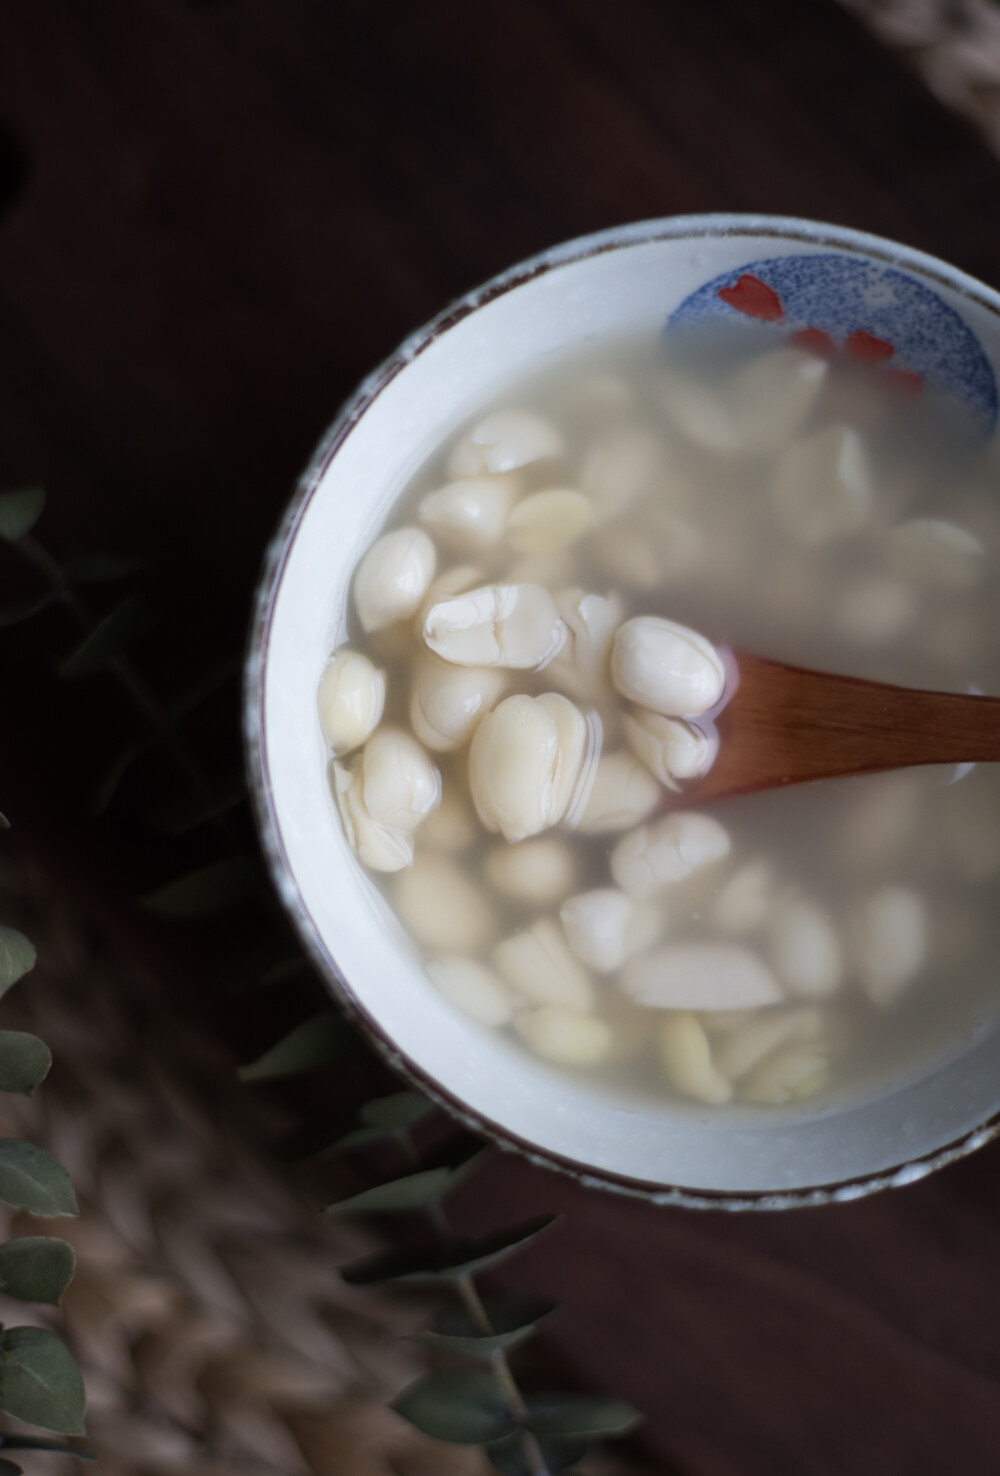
667 668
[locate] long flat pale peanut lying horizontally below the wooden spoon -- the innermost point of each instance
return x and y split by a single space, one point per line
700 976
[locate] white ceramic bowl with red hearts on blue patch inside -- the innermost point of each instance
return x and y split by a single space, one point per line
943 325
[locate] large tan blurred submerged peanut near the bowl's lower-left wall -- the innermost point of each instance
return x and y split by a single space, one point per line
442 908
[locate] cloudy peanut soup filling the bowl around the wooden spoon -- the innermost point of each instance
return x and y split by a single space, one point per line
793 950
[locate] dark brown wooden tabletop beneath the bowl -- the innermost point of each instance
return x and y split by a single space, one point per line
215 219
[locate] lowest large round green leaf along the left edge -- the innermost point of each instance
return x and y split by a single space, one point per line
39 1381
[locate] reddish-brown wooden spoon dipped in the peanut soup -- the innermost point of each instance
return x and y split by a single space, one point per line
788 725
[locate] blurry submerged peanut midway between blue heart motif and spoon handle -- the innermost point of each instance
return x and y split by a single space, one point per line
824 486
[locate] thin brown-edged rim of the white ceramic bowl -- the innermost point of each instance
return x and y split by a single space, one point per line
669 228
